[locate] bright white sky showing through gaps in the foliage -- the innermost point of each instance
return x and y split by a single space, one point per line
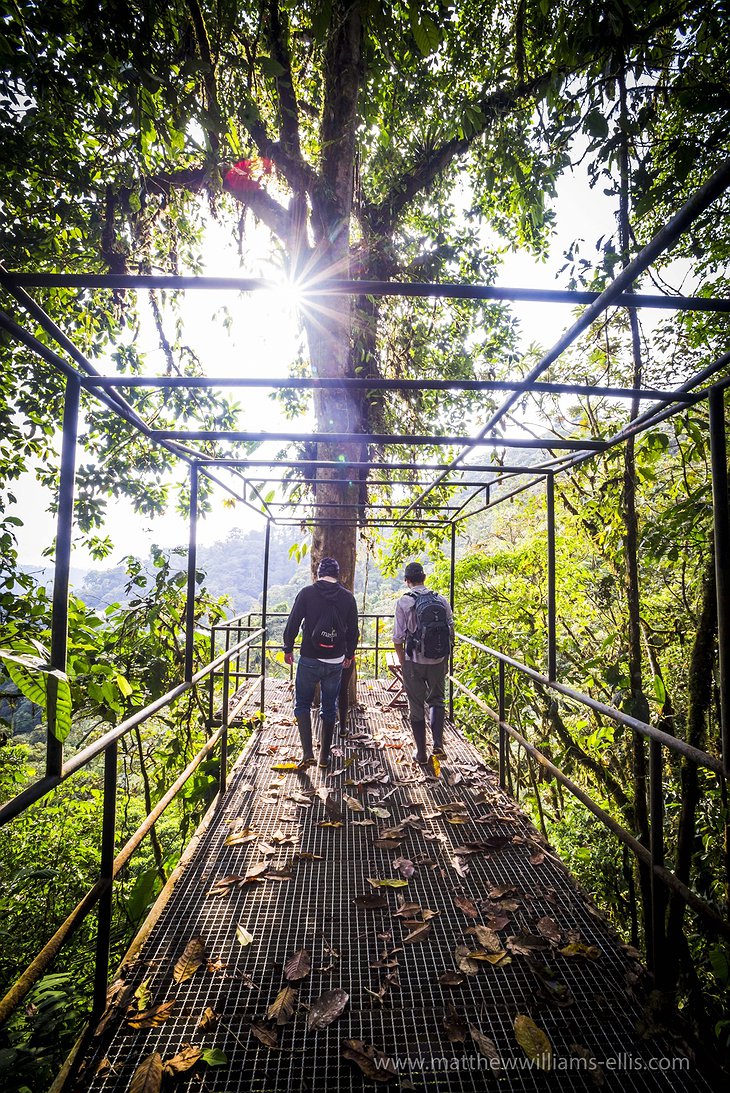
264 343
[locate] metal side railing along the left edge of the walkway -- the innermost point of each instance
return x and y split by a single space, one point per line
111 864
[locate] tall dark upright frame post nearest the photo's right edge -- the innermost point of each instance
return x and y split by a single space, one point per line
722 531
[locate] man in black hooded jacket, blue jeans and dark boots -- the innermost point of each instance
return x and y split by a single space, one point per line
329 615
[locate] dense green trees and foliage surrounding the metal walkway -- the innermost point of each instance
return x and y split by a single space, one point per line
394 142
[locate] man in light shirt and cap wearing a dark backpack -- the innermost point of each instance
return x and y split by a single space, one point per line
423 638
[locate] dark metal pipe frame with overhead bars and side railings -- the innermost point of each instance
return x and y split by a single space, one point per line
479 479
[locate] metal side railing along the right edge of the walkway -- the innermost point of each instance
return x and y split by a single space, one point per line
652 856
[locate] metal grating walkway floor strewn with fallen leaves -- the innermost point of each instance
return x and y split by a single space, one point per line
584 1004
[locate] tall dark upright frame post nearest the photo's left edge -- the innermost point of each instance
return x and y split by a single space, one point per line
60 639
